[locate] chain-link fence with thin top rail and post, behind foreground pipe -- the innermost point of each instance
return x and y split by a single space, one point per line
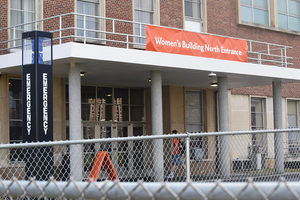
133 158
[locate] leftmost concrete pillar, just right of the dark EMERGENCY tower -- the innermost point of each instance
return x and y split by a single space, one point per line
76 151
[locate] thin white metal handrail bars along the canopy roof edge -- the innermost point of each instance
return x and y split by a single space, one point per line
270 47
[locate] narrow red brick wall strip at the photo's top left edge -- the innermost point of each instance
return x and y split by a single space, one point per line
3 24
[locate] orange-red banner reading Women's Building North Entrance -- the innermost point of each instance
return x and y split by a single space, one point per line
190 43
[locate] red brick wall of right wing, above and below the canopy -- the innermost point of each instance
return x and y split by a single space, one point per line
222 19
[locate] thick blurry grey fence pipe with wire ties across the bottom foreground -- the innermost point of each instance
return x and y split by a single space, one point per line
16 189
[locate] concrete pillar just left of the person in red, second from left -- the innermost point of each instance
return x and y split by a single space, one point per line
157 125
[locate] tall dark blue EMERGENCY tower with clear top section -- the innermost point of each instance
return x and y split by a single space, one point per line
37 89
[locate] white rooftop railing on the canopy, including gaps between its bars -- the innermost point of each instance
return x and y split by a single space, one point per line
122 33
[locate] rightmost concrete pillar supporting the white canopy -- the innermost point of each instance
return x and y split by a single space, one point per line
278 137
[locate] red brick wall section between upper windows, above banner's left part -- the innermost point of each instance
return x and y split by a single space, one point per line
171 13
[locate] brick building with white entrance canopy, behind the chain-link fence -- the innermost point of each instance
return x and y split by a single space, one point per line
105 41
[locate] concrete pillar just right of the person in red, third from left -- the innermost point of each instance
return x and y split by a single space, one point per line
224 126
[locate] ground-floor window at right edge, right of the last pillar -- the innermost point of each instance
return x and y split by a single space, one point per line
292 119
